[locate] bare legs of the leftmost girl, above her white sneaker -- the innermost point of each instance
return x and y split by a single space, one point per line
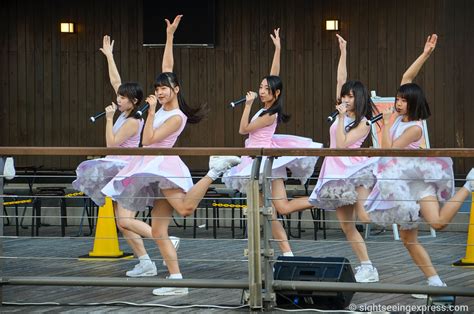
126 222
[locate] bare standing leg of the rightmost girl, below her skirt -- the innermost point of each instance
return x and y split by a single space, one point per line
417 252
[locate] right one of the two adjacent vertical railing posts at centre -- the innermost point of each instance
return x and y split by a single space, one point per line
268 252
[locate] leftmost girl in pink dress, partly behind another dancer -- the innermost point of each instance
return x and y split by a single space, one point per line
93 175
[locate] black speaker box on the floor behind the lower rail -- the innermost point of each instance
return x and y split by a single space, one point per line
303 268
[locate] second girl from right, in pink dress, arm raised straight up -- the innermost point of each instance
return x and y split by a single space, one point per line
344 182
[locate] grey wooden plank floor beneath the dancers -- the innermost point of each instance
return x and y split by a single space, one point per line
204 258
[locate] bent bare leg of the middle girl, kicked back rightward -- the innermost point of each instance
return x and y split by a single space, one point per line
280 199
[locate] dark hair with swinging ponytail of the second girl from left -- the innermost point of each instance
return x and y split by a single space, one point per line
170 80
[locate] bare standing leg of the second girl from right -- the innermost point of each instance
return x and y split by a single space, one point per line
346 218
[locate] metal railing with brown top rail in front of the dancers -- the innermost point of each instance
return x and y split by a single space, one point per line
261 287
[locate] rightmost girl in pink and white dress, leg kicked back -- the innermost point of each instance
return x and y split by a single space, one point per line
409 189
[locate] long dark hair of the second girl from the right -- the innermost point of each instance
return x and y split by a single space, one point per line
364 107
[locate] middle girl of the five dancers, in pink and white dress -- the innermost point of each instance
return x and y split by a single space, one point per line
261 130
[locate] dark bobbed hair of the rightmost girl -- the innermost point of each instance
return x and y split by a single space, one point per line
417 106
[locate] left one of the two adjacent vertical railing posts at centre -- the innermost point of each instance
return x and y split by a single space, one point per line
253 225
